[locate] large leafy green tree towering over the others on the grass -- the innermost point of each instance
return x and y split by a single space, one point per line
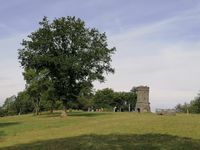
73 54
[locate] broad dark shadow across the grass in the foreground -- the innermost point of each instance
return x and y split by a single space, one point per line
114 141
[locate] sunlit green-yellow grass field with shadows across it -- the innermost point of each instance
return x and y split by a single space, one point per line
100 131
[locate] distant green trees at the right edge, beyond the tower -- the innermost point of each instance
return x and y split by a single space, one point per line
192 107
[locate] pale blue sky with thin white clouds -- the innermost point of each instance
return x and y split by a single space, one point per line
157 42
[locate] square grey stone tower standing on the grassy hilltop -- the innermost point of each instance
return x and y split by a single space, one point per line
142 104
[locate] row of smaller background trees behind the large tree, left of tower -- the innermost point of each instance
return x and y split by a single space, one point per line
101 100
